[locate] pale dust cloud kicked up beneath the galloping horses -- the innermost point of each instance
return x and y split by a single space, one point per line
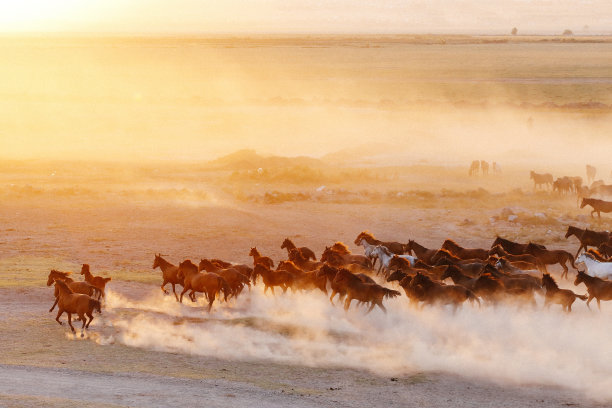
503 344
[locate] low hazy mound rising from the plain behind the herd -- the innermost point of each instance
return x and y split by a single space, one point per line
247 159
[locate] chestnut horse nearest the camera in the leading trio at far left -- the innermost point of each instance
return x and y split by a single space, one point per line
71 302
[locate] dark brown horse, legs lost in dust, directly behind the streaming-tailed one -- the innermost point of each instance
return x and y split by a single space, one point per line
438 293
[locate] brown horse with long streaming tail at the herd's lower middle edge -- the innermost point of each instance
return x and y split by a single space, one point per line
364 292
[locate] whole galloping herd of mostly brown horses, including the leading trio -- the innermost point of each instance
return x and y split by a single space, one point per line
505 271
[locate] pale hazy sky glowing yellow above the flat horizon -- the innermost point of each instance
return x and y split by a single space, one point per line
306 16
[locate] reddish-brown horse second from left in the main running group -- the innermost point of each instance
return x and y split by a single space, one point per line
208 283
